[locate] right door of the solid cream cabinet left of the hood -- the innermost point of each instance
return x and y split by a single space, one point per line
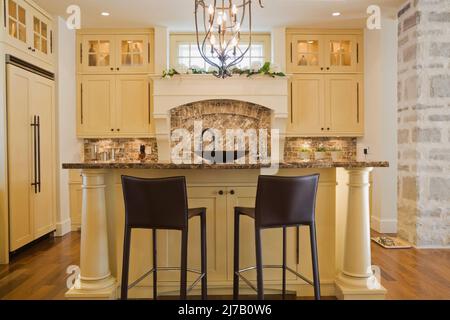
133 107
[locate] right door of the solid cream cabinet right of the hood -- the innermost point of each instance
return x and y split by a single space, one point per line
344 103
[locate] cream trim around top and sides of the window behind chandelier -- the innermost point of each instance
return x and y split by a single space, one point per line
176 38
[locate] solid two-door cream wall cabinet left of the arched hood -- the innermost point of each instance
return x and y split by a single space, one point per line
114 106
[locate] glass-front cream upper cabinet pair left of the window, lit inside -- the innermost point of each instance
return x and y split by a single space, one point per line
115 51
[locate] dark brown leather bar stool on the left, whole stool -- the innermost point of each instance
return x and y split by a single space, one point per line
161 204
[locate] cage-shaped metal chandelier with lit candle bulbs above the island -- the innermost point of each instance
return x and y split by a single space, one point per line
222 24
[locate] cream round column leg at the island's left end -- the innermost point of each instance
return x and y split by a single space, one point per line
95 281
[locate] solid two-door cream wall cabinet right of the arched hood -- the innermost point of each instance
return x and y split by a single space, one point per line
327 105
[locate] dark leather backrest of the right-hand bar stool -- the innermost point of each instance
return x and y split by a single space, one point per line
286 201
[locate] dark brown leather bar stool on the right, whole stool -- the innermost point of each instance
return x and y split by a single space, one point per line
281 202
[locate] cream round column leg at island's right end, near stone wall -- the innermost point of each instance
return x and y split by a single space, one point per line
356 279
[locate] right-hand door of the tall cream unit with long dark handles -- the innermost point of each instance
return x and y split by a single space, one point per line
44 201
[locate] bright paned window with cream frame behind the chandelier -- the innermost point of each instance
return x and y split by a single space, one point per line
184 51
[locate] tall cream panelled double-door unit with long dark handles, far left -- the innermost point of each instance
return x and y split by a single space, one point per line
31 156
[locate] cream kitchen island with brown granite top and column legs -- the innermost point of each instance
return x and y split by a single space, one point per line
343 230
